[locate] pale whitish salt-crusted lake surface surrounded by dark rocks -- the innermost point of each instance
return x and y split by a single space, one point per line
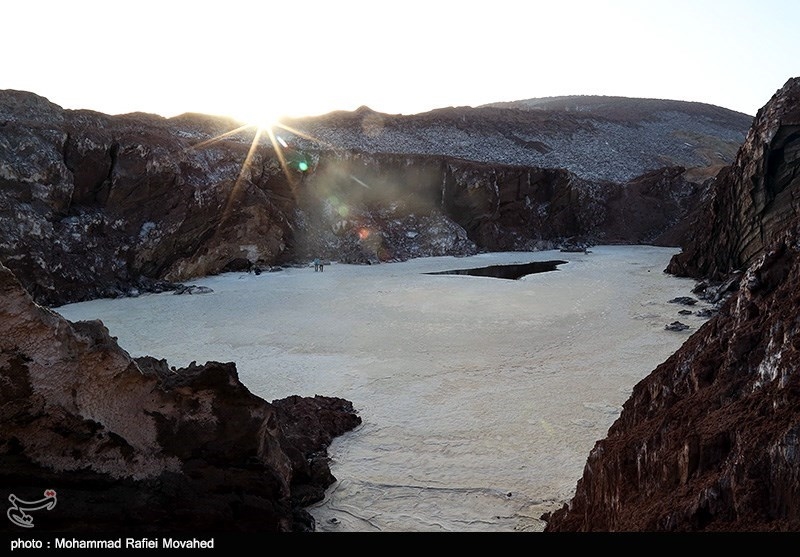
480 397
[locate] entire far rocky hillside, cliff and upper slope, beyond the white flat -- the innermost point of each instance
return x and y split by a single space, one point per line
100 206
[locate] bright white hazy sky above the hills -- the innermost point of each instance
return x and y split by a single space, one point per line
257 59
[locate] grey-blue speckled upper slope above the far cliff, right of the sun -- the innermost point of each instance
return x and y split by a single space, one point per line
596 138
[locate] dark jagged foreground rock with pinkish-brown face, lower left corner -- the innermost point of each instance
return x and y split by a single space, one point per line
131 444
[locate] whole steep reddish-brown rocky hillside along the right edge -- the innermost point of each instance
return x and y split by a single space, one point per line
709 440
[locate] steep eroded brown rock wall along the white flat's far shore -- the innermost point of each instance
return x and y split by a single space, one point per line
107 206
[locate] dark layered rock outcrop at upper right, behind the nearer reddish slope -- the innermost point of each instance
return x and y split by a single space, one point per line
755 199
